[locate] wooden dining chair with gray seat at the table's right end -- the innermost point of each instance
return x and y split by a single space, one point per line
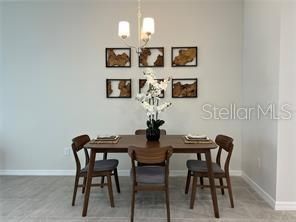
198 168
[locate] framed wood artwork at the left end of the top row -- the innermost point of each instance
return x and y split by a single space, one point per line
118 57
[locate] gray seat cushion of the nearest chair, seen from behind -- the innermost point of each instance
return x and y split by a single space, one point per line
150 174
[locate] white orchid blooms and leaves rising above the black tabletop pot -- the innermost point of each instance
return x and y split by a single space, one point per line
151 99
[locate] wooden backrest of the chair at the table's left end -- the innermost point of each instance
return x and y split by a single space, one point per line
78 144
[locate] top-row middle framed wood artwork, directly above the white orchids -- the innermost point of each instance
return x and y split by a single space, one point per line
151 57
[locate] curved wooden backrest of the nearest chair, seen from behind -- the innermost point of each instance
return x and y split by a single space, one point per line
150 156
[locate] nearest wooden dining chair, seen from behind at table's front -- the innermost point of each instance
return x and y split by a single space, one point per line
150 178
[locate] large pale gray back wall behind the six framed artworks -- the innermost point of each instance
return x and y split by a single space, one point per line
54 75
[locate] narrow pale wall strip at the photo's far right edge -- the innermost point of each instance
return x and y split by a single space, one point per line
286 164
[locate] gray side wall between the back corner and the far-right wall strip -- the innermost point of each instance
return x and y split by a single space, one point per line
260 86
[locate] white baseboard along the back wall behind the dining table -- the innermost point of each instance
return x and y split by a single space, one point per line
173 173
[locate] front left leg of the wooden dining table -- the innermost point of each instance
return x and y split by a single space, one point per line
88 181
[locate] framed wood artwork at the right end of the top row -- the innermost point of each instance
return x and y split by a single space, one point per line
184 56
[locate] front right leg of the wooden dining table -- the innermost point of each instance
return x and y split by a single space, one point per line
212 183
